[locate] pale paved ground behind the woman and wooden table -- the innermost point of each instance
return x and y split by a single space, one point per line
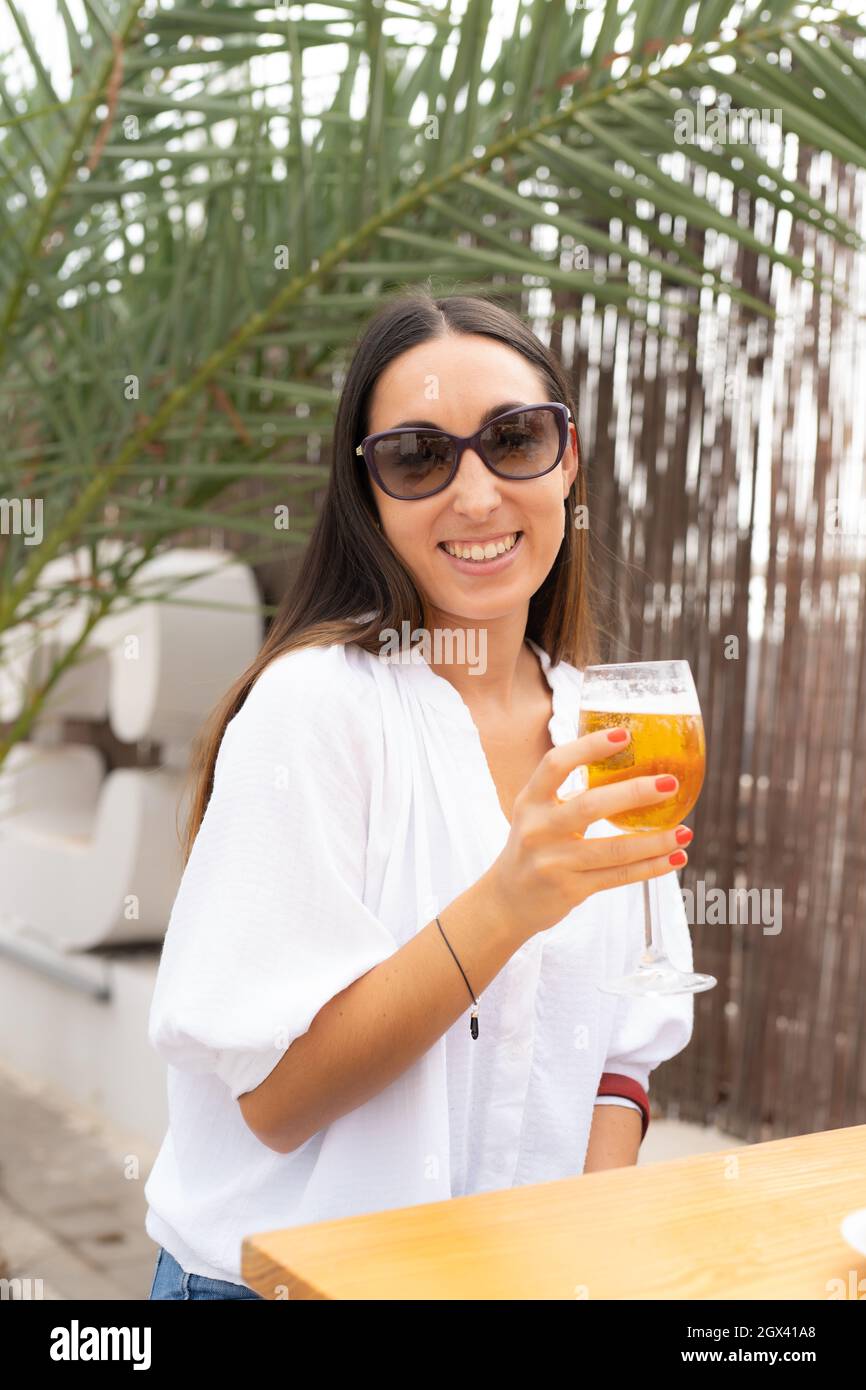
73 1203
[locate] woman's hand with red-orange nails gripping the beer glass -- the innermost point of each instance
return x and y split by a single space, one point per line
547 867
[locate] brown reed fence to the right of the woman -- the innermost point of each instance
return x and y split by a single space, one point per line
729 519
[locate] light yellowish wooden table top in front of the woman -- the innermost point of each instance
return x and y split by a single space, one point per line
755 1223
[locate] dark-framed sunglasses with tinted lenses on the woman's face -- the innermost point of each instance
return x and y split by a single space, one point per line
416 462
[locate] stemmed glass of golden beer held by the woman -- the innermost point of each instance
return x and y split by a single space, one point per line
658 704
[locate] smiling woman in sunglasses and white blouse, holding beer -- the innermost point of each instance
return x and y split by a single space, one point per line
383 842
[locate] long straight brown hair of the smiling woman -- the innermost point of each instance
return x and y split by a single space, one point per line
350 568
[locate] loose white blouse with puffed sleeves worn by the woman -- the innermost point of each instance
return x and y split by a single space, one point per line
352 801
